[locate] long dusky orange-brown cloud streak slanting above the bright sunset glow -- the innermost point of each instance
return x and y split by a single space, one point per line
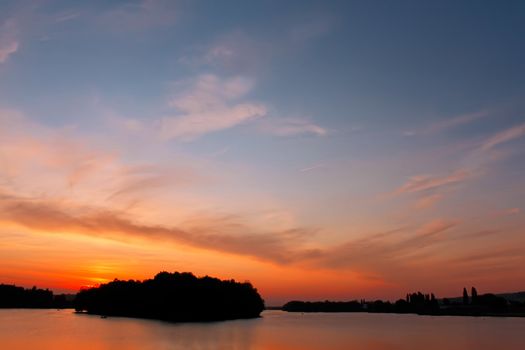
222 234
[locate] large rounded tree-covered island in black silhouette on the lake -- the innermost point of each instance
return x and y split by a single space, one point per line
176 297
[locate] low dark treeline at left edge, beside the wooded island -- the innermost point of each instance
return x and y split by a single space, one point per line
18 297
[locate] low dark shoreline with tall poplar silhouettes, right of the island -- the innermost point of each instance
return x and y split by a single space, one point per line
422 304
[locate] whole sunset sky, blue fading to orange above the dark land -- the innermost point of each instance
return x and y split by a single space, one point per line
319 149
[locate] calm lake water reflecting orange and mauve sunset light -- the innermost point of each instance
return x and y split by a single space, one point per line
52 329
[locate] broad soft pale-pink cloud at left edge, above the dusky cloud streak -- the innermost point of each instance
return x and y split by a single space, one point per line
78 167
